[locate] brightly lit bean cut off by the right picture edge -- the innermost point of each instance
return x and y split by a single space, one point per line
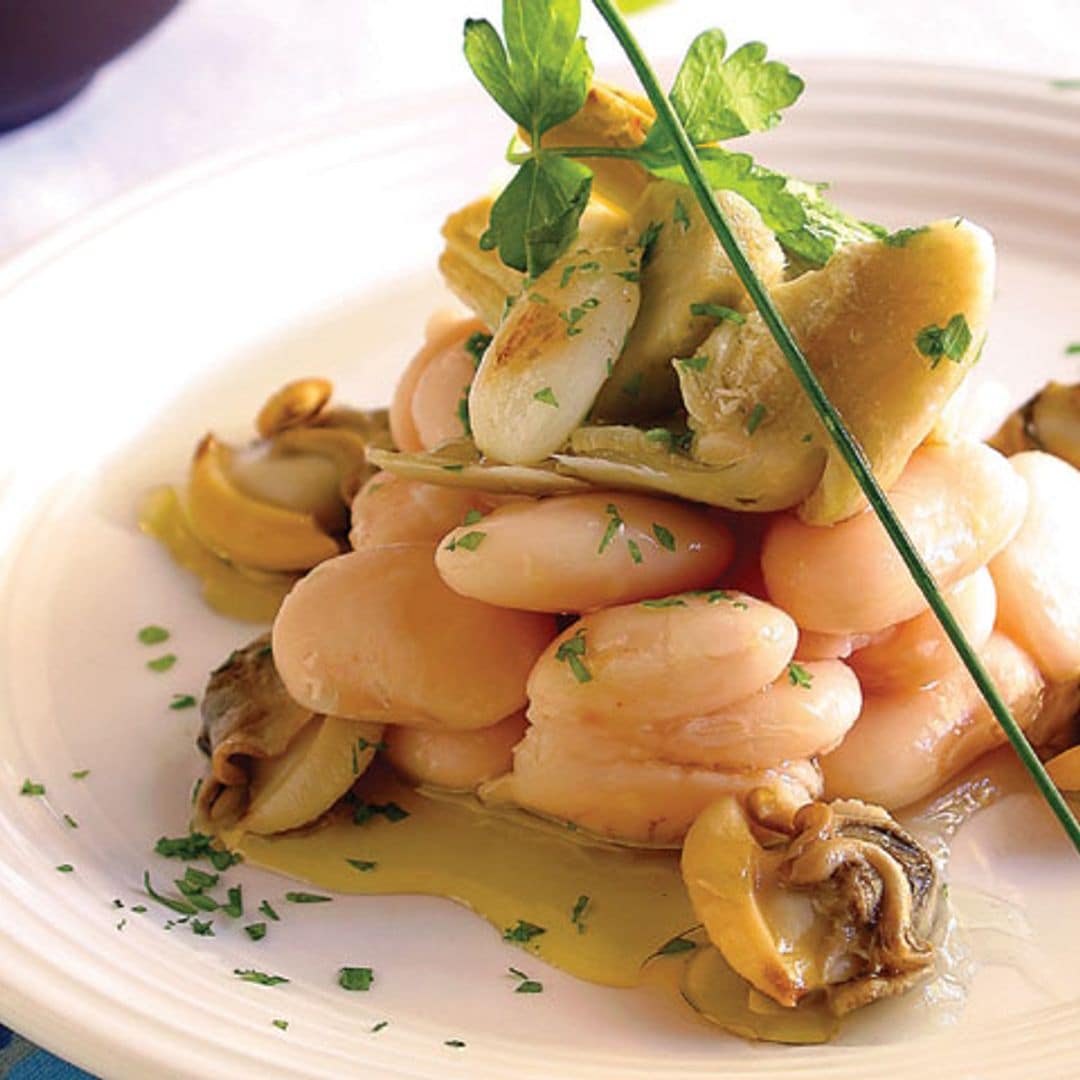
1038 574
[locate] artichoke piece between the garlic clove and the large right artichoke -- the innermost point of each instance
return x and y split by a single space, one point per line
686 266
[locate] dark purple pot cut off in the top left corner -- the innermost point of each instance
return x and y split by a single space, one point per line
51 49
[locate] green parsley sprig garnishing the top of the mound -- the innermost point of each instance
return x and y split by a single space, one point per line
539 73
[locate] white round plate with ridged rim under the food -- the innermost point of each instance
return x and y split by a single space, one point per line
175 310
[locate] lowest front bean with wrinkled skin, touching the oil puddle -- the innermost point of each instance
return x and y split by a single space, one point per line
619 791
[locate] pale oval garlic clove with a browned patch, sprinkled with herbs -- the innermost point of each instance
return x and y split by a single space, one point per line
541 375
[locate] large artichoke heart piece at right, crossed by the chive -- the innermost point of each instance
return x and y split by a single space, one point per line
874 326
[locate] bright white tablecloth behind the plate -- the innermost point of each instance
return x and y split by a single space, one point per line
222 74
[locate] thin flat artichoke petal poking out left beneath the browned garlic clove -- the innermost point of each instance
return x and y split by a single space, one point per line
460 464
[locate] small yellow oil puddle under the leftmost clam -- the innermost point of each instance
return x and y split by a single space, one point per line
246 595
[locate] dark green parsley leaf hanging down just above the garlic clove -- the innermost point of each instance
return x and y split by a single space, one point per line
536 217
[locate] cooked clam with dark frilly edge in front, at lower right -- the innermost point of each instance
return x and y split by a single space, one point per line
844 906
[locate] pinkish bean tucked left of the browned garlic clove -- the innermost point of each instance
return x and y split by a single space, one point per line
434 413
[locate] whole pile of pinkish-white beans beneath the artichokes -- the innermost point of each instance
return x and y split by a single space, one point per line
713 653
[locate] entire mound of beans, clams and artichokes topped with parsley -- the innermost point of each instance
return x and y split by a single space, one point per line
595 628
